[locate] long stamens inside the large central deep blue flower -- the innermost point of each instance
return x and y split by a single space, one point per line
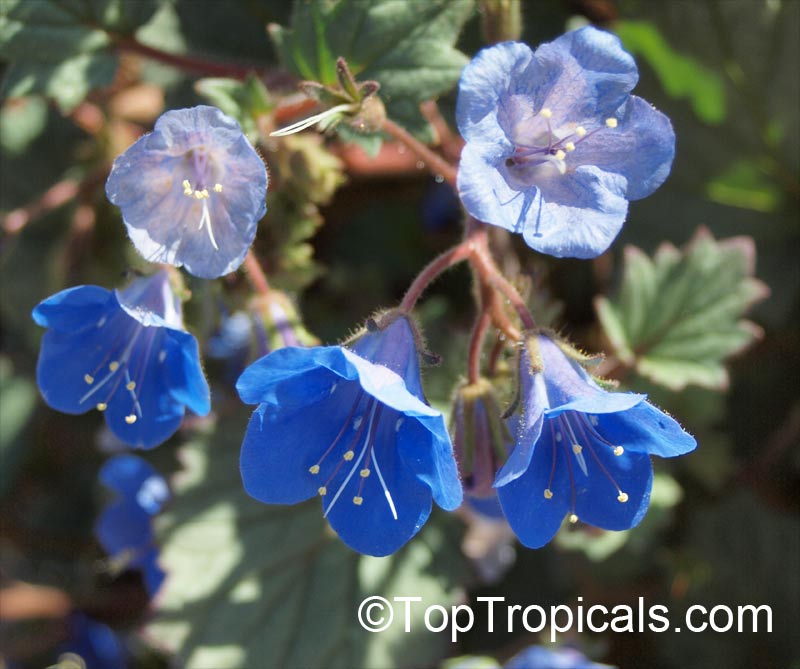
371 411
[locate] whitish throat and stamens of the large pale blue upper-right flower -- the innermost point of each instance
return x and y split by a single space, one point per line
542 148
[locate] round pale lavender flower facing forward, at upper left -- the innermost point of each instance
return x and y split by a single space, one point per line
191 192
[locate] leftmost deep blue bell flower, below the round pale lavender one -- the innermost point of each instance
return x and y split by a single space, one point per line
124 353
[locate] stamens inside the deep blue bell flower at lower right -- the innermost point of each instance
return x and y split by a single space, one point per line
576 434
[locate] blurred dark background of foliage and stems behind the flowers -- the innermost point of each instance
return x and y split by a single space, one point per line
345 233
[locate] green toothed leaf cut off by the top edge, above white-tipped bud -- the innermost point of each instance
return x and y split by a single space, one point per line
406 46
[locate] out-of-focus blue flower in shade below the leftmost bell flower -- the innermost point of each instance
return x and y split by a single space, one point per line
124 528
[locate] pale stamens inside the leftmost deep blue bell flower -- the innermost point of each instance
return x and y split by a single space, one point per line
124 363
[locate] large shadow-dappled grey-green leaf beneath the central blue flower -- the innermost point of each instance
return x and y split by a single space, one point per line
255 585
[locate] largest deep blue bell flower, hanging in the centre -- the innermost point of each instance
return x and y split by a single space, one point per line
350 425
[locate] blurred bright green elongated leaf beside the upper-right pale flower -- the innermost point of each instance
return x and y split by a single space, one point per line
680 75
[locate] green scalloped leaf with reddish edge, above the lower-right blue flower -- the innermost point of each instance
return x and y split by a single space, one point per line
679 316
